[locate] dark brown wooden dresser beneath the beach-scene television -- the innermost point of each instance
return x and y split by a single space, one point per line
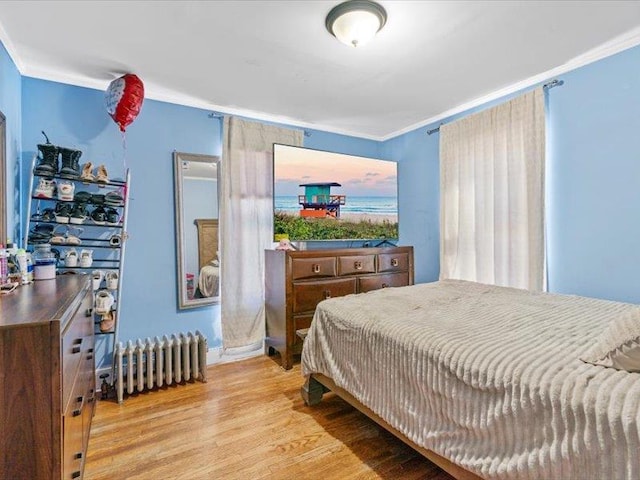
296 281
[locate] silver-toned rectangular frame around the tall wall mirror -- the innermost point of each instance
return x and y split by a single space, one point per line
178 157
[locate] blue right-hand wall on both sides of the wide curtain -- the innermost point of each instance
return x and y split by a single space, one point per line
593 182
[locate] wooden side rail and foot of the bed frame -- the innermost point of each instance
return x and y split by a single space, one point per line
317 384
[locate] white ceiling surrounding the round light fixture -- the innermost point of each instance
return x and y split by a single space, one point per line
274 60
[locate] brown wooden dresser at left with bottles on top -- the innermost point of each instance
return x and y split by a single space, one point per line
46 379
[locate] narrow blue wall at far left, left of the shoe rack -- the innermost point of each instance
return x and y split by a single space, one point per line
11 107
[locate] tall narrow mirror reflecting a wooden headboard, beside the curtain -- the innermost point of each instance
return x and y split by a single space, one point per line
196 207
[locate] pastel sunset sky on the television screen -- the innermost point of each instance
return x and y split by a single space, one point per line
358 176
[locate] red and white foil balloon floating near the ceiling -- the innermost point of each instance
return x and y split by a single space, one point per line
124 99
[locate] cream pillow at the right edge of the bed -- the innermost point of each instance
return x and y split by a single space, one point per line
619 345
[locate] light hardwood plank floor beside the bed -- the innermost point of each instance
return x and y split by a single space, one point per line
247 422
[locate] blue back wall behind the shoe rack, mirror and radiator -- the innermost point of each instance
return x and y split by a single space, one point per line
75 117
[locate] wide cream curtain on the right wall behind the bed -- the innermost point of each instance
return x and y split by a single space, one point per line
492 195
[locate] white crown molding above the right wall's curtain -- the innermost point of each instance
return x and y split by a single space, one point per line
623 42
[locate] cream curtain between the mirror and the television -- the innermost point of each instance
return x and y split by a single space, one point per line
246 226
